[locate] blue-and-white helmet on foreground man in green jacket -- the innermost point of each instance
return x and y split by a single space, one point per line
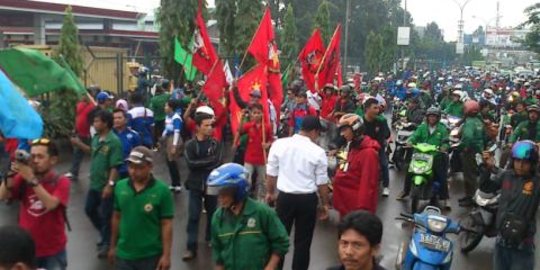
230 176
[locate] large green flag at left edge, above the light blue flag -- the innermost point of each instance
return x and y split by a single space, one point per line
36 73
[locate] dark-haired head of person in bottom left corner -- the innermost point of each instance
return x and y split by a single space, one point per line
18 250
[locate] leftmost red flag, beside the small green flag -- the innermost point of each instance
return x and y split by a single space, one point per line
204 54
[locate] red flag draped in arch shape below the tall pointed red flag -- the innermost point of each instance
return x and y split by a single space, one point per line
253 80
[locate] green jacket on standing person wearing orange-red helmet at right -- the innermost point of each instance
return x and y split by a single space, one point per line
473 134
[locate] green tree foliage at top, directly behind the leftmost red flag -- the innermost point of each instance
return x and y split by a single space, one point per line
176 19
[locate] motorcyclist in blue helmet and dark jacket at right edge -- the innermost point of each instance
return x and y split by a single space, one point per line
516 214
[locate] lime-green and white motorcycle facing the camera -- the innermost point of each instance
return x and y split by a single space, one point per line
421 175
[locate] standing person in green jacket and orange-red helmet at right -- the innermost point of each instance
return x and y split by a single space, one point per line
473 136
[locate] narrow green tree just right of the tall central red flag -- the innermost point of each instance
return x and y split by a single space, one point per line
289 38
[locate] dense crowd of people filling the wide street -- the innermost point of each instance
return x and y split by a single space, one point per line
328 149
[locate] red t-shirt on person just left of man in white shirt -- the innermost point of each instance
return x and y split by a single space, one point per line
254 150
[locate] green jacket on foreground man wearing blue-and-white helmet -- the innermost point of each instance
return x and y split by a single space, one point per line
247 241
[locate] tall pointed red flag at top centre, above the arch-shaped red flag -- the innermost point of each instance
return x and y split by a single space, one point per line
263 46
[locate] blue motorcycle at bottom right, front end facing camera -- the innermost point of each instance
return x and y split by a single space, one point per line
429 248
